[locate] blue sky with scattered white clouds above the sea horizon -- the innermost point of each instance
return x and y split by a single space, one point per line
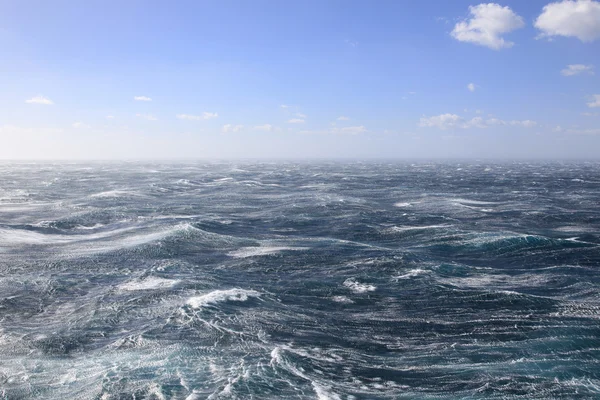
273 79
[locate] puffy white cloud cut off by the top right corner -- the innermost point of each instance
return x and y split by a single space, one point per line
579 18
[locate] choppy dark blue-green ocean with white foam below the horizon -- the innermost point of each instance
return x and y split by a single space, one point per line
299 281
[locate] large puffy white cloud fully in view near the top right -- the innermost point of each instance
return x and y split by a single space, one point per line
487 25
